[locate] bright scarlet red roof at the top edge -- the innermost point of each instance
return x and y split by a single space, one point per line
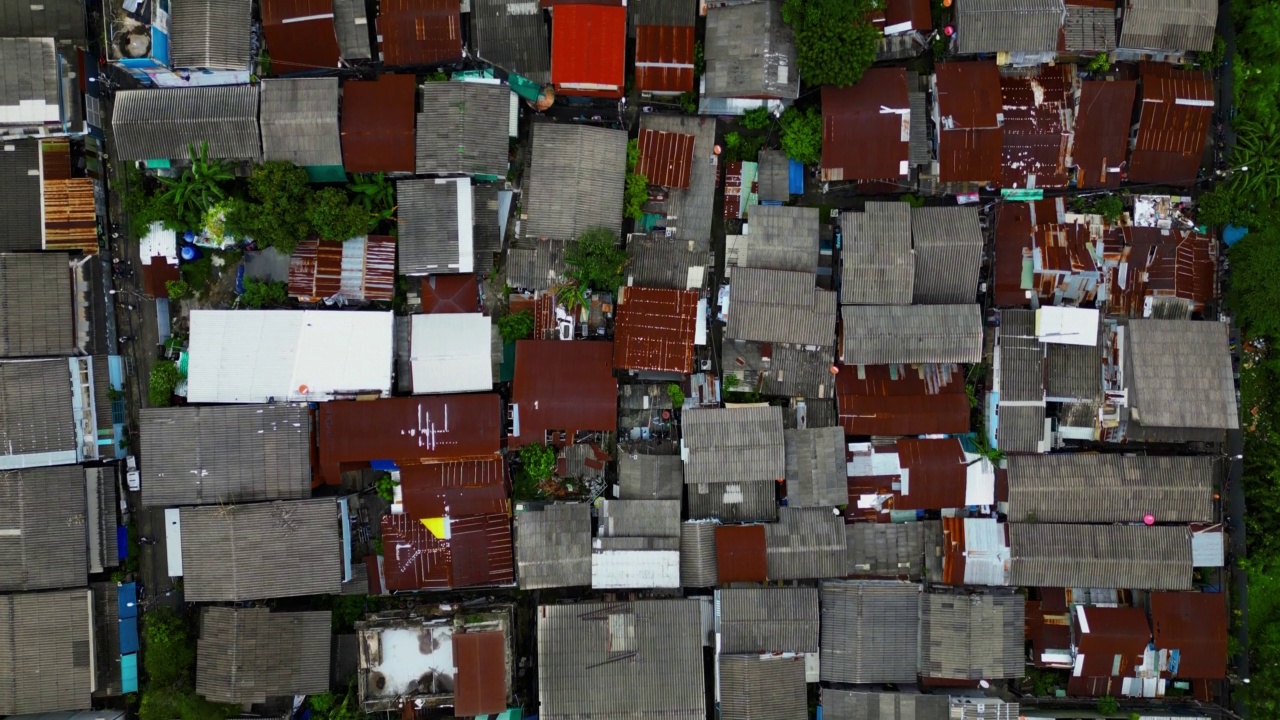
589 48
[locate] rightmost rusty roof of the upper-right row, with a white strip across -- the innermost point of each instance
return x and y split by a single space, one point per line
1173 127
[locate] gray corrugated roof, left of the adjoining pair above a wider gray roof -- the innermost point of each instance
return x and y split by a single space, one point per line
879 267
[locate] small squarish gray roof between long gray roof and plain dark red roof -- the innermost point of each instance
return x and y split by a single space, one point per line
300 122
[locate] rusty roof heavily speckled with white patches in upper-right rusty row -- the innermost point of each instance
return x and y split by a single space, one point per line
1037 129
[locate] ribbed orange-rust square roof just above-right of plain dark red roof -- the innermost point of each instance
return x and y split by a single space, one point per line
655 330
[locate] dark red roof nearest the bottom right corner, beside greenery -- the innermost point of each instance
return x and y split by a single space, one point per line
1195 625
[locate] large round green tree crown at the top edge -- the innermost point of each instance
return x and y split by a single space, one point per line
835 40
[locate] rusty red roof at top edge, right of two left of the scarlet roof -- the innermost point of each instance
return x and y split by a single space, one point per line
420 33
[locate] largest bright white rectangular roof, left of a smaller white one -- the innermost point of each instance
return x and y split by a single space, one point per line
289 356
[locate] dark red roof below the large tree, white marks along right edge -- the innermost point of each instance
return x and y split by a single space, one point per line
860 140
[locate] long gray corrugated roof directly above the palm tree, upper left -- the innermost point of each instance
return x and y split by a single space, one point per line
167 124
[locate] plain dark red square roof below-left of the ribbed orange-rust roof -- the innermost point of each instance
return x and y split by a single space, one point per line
563 386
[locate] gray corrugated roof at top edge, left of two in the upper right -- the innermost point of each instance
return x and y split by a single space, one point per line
1008 26
